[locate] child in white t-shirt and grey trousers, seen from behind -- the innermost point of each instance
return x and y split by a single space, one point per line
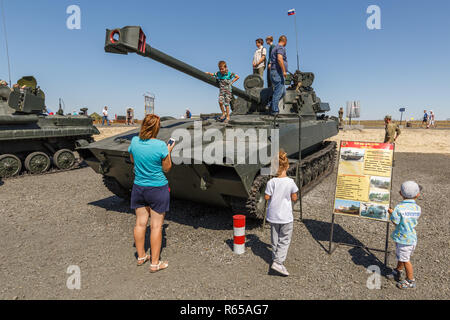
280 192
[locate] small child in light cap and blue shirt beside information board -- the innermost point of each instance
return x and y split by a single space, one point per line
405 216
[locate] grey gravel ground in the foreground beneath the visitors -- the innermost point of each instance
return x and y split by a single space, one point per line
50 222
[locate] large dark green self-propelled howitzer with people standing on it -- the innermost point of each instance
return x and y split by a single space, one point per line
225 183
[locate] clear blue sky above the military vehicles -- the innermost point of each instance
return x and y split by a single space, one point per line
406 63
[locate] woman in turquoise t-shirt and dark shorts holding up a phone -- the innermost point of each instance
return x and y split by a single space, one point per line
150 196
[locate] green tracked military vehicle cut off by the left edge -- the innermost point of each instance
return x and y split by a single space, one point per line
31 141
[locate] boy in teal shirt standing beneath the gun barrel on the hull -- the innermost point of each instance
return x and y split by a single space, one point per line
225 80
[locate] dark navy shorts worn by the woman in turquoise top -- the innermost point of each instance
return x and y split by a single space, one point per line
157 198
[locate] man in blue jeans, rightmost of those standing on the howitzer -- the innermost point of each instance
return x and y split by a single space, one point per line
278 70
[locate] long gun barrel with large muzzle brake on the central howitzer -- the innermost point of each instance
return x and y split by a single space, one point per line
132 39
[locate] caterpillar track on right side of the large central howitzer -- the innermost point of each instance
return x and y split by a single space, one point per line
315 168
